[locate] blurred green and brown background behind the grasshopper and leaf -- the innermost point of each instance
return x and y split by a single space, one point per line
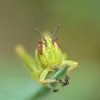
79 37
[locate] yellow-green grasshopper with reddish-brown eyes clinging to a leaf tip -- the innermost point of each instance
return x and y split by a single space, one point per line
48 58
